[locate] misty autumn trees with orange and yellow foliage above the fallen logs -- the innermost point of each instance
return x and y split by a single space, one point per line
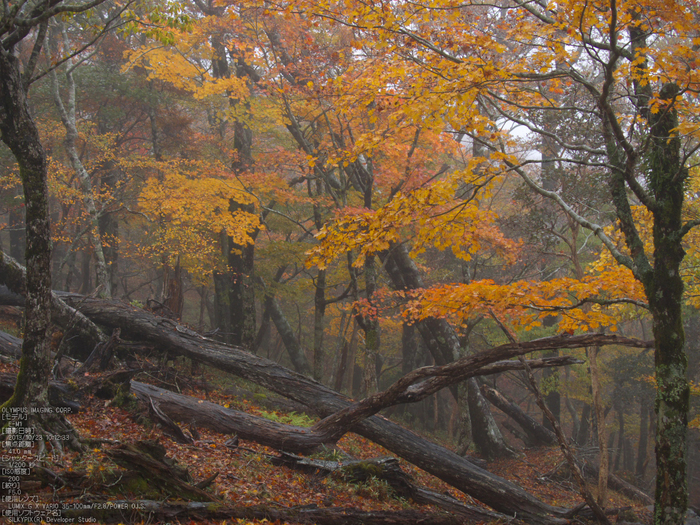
354 172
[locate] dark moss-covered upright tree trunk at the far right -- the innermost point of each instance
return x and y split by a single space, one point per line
664 290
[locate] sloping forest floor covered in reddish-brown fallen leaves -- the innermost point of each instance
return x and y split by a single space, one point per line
246 476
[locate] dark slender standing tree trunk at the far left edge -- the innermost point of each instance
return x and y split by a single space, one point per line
20 134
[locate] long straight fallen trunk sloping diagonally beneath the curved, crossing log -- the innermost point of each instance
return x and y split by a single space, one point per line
442 463
